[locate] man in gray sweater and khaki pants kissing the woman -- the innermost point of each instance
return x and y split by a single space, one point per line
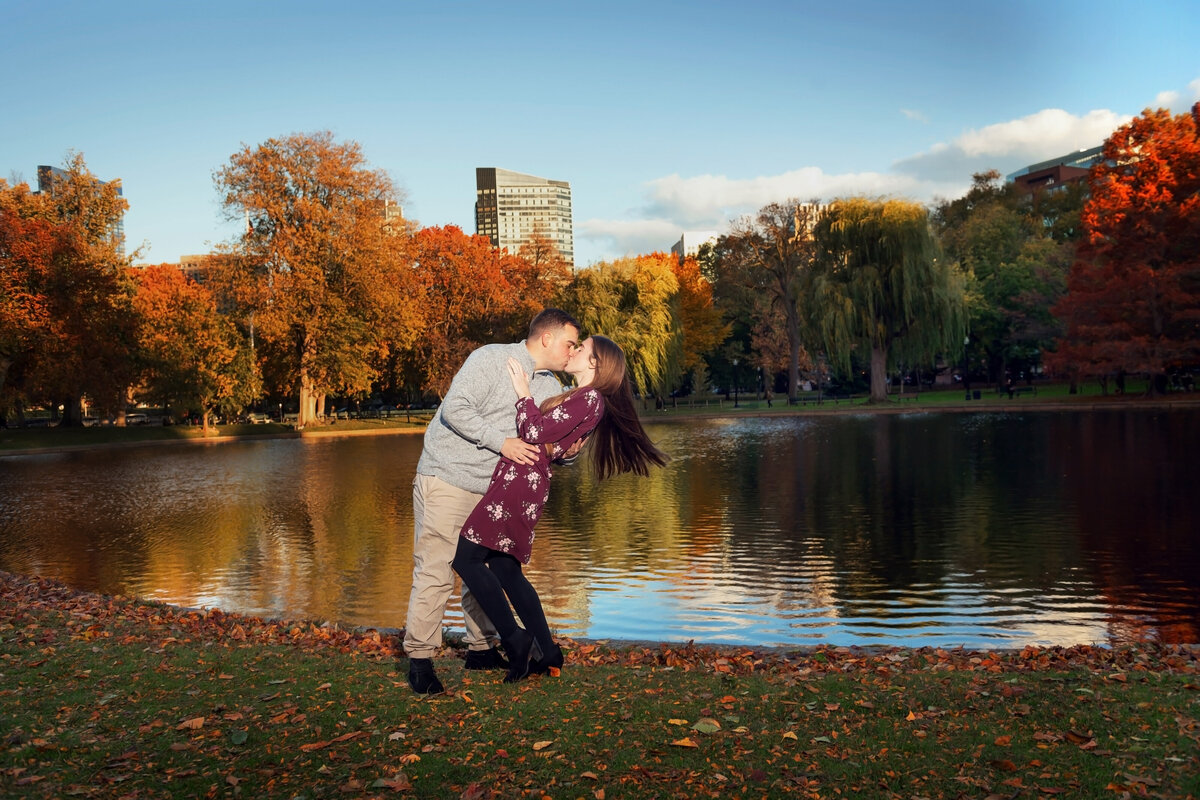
475 425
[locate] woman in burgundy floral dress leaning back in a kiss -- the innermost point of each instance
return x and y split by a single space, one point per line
497 538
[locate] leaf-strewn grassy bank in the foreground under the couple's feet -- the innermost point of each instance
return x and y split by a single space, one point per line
110 699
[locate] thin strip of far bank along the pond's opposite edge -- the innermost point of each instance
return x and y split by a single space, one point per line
681 414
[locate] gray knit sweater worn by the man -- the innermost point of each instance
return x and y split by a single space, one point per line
464 441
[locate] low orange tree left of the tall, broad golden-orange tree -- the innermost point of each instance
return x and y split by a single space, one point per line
195 359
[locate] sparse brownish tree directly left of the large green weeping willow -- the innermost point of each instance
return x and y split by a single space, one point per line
765 261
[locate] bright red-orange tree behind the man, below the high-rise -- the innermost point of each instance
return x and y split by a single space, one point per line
473 294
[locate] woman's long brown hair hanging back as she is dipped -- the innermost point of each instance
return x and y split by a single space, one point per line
620 443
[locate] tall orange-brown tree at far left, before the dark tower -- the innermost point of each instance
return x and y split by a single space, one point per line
87 347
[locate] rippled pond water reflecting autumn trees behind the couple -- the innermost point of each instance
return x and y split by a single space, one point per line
975 530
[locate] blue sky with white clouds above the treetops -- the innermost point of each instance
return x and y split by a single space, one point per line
664 117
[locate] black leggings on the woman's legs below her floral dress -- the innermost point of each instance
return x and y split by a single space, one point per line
491 576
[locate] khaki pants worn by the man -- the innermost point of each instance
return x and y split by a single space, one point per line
440 512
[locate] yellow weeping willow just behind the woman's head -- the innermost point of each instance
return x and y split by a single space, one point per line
635 303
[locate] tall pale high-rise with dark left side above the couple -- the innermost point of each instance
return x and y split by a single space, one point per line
511 208
